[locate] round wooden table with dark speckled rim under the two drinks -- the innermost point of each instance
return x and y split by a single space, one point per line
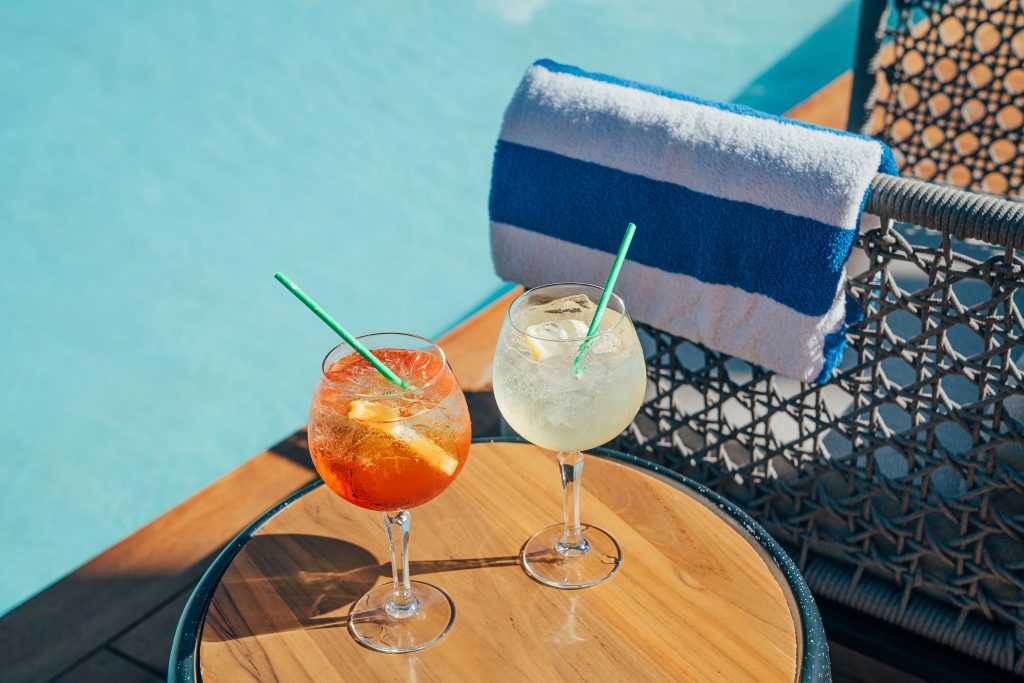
703 594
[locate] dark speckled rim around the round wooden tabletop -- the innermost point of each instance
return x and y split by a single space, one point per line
815 665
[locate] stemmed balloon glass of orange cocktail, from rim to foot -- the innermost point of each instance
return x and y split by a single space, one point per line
390 450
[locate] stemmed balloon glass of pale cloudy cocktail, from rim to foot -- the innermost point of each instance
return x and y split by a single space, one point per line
569 407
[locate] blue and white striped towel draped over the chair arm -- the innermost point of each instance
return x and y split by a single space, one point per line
745 221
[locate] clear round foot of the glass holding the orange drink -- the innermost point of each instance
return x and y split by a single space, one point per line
373 624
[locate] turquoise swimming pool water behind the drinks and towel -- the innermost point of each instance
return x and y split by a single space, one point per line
159 162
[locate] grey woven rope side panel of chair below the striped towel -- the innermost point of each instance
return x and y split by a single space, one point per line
908 468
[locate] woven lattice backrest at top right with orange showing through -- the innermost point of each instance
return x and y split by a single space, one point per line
949 93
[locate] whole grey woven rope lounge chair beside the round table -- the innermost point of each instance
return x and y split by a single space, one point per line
900 487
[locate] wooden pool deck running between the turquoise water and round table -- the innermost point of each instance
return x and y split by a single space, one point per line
115 617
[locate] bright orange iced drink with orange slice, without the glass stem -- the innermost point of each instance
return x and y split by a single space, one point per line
383 449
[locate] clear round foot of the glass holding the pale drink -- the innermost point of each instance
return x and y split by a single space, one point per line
543 561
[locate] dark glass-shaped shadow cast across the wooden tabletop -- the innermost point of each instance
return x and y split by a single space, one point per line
298 581
